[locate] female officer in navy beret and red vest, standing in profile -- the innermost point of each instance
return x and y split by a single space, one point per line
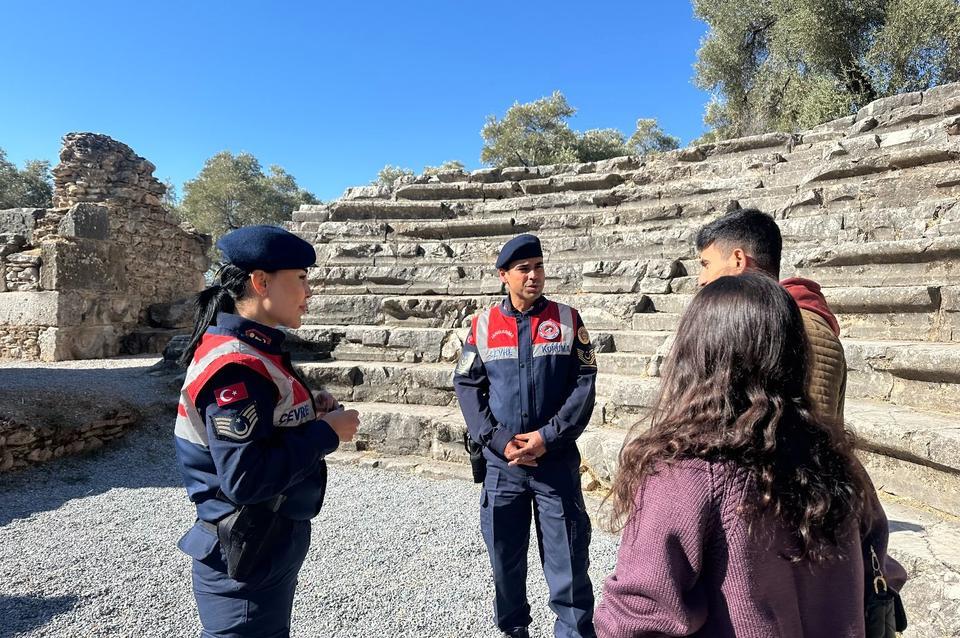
250 438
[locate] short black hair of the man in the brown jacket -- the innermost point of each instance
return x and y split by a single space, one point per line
754 232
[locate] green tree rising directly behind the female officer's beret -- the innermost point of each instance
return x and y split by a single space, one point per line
232 191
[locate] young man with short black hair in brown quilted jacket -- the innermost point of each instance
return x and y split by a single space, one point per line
750 240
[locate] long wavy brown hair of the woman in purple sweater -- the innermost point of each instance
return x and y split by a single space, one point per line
734 391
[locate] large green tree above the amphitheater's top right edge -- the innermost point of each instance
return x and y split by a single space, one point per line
793 64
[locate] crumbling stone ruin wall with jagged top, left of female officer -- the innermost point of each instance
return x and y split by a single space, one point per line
90 277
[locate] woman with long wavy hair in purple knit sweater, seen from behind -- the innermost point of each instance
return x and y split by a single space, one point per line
743 513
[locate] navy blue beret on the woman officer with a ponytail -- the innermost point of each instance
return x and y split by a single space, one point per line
266 248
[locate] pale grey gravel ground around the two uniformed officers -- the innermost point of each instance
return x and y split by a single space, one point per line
87 548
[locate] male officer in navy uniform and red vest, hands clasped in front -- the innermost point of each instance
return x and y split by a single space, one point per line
525 382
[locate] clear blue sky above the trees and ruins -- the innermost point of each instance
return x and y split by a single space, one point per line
332 91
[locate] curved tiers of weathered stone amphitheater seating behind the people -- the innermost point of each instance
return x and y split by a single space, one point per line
868 206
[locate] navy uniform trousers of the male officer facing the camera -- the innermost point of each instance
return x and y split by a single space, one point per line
551 495
